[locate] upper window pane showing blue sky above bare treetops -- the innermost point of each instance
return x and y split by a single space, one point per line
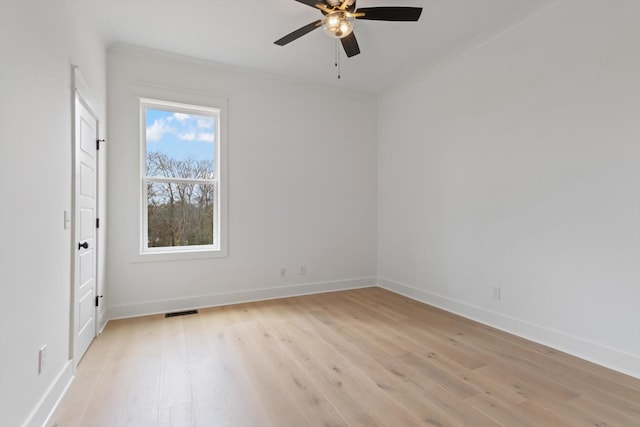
179 145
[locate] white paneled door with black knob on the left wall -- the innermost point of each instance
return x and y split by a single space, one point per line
86 128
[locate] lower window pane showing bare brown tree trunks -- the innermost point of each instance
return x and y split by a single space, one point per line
180 214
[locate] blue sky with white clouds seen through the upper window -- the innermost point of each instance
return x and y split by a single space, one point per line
180 135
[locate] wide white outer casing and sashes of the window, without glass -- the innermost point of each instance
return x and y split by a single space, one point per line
188 102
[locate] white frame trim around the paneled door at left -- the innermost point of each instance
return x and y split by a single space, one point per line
80 93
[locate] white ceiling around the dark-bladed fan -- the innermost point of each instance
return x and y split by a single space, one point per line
242 32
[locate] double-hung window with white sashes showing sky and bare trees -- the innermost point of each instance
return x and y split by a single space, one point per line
181 186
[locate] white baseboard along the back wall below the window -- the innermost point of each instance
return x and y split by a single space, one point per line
213 300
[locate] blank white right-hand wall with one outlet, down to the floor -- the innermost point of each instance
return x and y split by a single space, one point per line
515 163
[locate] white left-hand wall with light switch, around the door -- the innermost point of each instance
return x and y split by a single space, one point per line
39 41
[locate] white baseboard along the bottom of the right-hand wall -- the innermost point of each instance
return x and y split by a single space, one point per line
611 358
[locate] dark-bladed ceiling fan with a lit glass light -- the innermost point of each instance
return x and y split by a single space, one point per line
338 20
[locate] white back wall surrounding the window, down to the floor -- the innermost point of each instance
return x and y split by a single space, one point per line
302 172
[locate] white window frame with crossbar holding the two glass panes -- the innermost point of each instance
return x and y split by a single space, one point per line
216 109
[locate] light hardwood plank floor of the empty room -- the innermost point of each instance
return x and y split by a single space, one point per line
364 357
